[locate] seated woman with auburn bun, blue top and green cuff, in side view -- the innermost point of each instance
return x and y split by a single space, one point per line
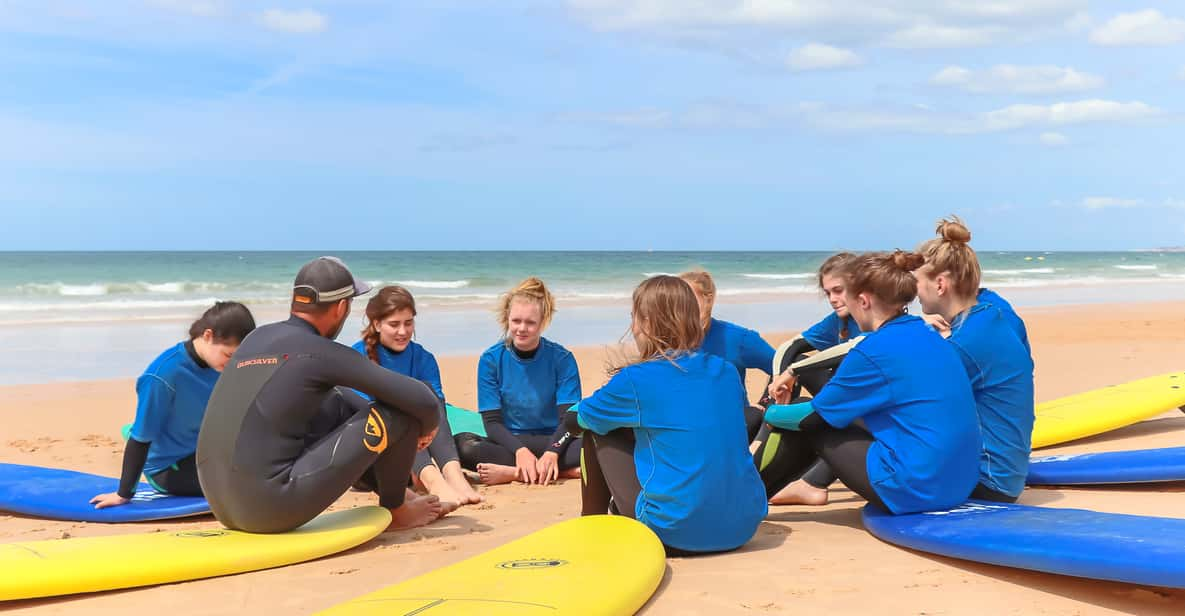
920 451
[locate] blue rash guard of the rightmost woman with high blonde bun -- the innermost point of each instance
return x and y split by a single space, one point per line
1002 380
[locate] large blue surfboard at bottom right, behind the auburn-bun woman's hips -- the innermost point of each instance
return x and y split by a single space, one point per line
1135 549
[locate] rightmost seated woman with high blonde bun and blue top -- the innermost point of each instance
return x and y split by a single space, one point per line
994 355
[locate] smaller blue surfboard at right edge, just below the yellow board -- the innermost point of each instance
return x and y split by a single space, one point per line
1141 466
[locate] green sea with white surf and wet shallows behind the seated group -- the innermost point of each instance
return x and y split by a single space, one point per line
80 316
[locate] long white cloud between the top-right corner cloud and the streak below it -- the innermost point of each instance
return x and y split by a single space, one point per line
1010 79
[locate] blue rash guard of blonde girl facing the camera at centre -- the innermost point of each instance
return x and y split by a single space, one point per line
528 392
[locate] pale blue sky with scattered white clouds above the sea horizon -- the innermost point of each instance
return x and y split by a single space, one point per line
680 125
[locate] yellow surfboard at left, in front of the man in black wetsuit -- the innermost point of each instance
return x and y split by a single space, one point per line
65 567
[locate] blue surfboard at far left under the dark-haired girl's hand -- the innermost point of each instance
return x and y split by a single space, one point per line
60 495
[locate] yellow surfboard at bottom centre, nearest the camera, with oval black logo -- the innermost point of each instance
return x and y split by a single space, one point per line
593 566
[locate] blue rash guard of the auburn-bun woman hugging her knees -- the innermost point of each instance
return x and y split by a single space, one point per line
909 387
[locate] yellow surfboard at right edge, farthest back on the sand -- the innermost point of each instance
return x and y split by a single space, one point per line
1107 409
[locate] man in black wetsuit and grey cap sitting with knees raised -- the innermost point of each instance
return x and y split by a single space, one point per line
285 437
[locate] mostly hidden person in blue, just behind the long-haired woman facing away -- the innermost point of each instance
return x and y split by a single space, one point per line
741 348
